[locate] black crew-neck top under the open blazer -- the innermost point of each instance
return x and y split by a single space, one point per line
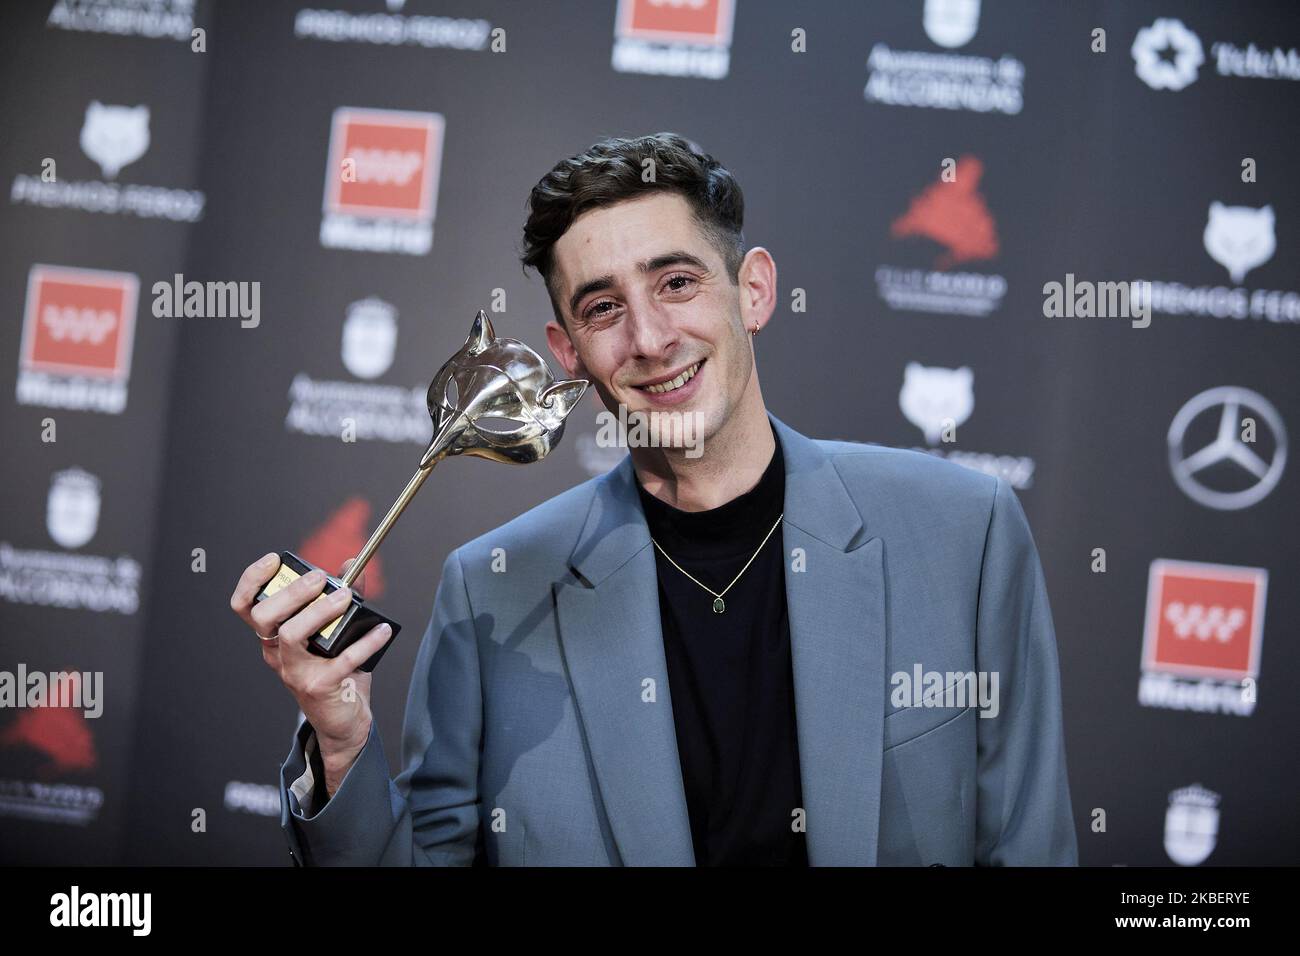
730 674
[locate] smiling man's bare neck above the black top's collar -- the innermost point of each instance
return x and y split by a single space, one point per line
734 461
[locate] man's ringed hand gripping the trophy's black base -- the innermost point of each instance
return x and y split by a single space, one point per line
332 693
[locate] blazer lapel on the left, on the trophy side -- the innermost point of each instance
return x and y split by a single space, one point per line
613 642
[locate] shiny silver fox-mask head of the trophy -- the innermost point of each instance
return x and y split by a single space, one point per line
497 399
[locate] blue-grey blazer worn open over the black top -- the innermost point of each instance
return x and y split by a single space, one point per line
539 725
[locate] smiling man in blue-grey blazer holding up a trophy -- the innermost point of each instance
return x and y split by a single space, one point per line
704 656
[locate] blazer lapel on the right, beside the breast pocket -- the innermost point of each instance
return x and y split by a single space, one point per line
838 639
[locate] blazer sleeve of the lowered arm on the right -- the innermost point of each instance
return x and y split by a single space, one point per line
1024 812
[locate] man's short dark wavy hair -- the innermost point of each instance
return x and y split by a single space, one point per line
614 171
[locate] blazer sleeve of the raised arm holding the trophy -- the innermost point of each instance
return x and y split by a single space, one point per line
428 816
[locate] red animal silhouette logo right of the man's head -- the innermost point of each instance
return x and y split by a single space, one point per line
954 215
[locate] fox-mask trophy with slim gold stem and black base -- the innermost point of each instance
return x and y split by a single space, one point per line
495 399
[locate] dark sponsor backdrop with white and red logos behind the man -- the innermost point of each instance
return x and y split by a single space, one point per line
1054 243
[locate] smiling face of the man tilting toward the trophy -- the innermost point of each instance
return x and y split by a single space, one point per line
647 299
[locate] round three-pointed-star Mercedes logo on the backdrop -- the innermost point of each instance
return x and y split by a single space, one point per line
1228 447
